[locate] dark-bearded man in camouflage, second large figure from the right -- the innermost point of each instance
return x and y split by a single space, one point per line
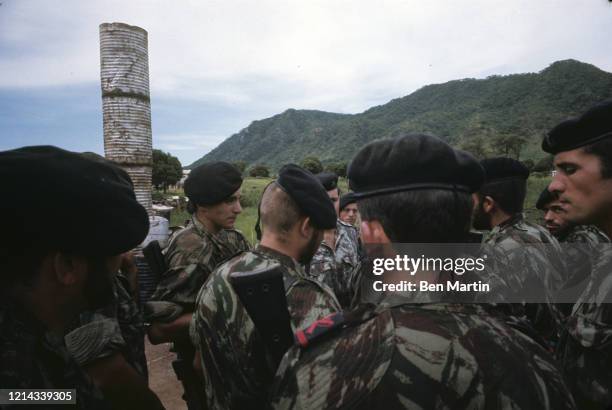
527 255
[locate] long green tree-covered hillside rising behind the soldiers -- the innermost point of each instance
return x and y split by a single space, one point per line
499 115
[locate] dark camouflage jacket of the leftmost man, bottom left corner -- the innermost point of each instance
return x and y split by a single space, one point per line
33 358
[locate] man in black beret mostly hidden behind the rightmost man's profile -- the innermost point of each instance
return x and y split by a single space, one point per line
585 240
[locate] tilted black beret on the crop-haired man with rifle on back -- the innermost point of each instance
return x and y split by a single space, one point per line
309 195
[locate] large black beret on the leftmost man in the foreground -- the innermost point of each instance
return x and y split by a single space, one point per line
60 200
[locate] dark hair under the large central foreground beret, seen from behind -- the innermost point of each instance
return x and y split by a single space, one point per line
421 216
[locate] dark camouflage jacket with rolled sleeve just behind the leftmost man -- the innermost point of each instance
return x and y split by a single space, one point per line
117 327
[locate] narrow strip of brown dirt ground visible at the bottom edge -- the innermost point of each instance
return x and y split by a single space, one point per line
162 379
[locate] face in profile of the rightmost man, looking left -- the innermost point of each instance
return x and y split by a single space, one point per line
584 195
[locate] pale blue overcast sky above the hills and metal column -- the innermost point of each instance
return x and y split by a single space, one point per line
215 66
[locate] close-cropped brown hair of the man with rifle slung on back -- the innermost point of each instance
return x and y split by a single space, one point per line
278 211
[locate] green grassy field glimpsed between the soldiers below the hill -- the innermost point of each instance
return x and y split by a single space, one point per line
253 187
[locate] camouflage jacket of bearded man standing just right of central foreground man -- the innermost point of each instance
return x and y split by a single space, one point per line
525 257
